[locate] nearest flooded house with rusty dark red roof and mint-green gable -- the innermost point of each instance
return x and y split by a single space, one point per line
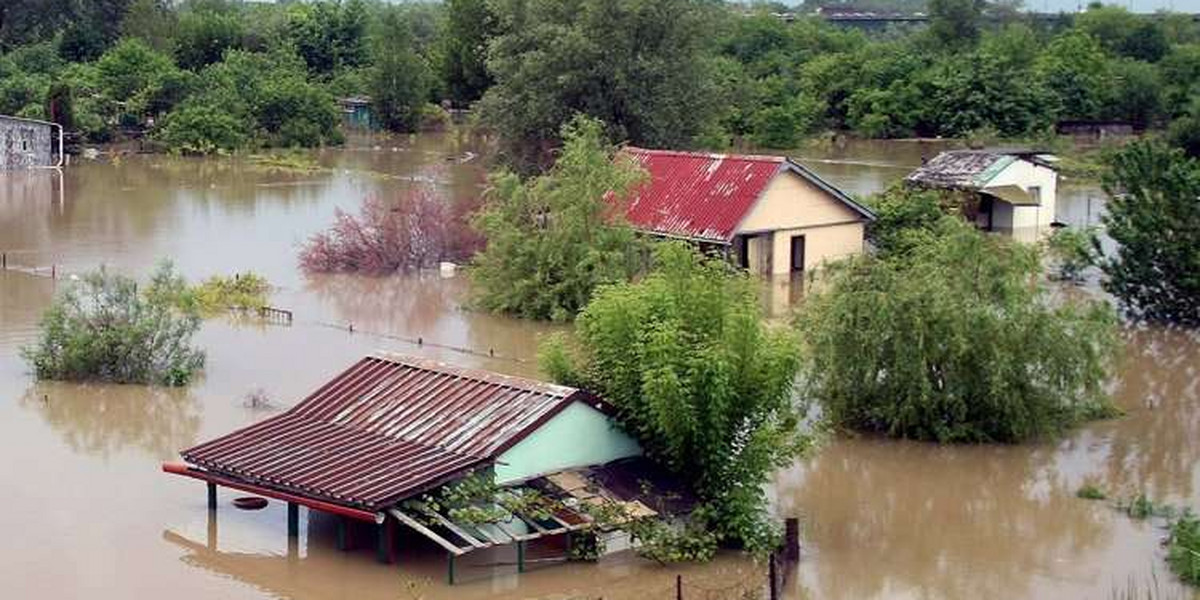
391 429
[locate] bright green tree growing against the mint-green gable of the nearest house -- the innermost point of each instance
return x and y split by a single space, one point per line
698 379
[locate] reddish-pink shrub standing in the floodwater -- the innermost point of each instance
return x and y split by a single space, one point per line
416 231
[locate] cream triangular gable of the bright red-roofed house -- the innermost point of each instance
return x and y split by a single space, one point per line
793 202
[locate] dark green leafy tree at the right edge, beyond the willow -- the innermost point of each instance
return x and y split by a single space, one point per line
1154 215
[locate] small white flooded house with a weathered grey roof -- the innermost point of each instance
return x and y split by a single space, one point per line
1017 189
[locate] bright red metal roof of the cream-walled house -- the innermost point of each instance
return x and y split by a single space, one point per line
705 197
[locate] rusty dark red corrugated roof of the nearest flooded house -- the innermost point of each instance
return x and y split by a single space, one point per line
385 430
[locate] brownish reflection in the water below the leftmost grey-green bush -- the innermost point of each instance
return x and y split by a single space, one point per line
103 419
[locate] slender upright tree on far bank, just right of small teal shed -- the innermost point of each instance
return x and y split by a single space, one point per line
400 82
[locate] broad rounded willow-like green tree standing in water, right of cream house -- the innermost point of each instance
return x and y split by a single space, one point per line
956 341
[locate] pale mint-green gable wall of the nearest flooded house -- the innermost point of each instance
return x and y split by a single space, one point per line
579 436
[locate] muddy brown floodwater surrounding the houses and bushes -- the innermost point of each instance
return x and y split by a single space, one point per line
87 513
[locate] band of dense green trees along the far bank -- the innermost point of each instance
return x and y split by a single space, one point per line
218 75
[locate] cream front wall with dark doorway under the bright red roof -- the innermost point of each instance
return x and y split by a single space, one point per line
791 206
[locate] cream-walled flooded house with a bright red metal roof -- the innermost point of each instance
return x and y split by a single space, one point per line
770 214
